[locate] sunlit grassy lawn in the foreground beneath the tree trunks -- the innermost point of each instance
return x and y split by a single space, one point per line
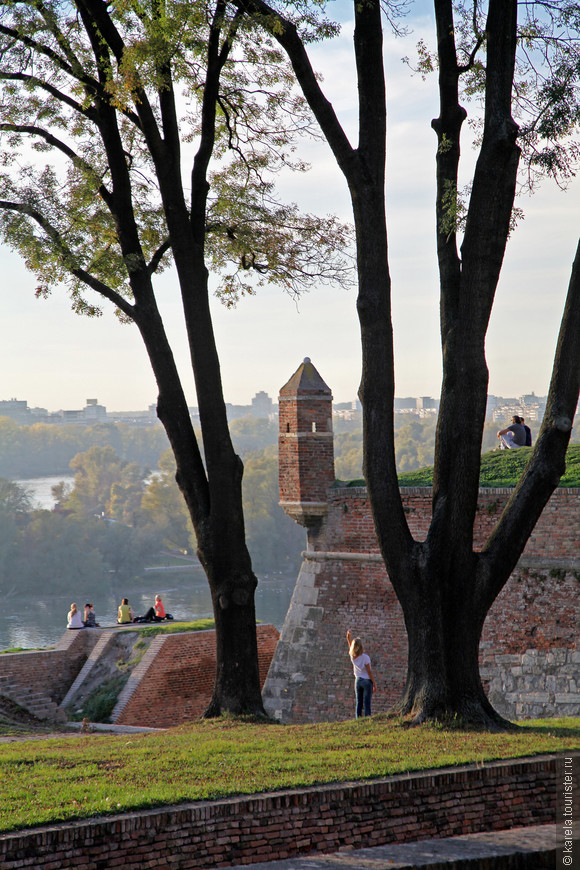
45 781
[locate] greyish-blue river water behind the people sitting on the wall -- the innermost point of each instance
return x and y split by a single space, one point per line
41 622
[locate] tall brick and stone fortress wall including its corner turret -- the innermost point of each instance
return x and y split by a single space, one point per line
528 657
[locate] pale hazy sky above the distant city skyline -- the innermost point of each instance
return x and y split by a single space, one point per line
54 359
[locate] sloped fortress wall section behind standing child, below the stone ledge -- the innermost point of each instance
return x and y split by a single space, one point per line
310 678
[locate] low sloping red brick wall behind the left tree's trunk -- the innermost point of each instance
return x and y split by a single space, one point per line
173 682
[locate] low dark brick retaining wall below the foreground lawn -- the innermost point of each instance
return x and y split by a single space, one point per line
243 830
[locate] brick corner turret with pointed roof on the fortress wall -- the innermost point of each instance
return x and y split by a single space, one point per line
305 445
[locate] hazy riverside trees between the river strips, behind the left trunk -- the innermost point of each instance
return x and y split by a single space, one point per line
118 517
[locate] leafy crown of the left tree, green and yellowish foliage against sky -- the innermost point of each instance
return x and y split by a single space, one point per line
68 90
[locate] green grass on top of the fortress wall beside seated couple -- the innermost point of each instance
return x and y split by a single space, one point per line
499 468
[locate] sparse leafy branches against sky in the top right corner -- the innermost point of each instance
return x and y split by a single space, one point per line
546 85
